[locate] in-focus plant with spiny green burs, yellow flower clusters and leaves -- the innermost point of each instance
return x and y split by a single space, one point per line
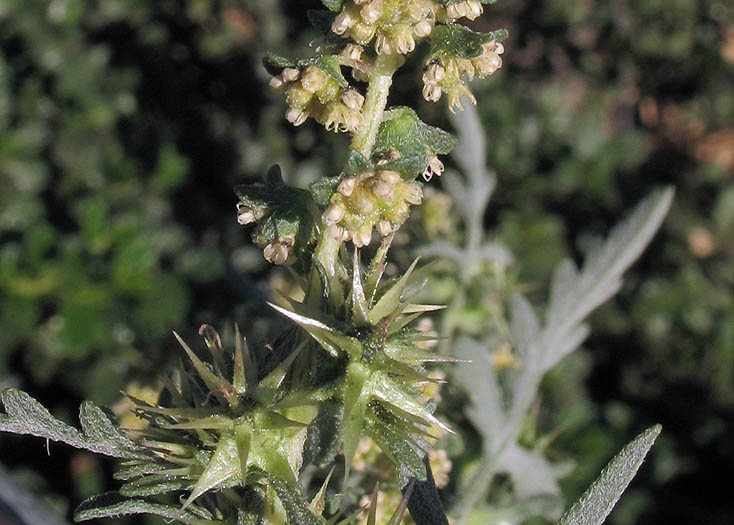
230 437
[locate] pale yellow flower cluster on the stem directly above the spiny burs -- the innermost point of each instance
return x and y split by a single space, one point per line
374 199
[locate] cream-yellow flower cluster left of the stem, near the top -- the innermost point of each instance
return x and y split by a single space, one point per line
312 92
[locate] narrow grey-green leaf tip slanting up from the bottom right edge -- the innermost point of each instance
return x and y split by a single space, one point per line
597 502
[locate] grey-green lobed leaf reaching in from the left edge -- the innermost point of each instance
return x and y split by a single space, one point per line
25 415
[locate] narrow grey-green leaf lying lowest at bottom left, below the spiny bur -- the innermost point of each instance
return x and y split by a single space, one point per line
112 505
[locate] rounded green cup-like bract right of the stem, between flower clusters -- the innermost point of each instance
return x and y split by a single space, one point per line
406 142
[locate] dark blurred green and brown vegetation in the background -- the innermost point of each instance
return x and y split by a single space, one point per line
124 125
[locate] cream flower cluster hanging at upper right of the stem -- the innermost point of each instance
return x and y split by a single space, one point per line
449 74
